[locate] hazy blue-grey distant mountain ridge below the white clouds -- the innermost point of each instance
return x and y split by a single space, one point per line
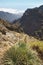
9 16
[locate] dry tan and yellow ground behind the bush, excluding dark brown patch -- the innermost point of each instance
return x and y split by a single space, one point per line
11 38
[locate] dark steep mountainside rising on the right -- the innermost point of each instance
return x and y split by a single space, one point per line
32 22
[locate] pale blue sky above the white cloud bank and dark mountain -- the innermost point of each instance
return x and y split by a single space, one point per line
20 4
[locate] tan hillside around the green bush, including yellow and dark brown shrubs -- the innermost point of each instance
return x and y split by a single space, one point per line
11 38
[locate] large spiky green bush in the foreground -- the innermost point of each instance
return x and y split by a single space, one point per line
21 54
